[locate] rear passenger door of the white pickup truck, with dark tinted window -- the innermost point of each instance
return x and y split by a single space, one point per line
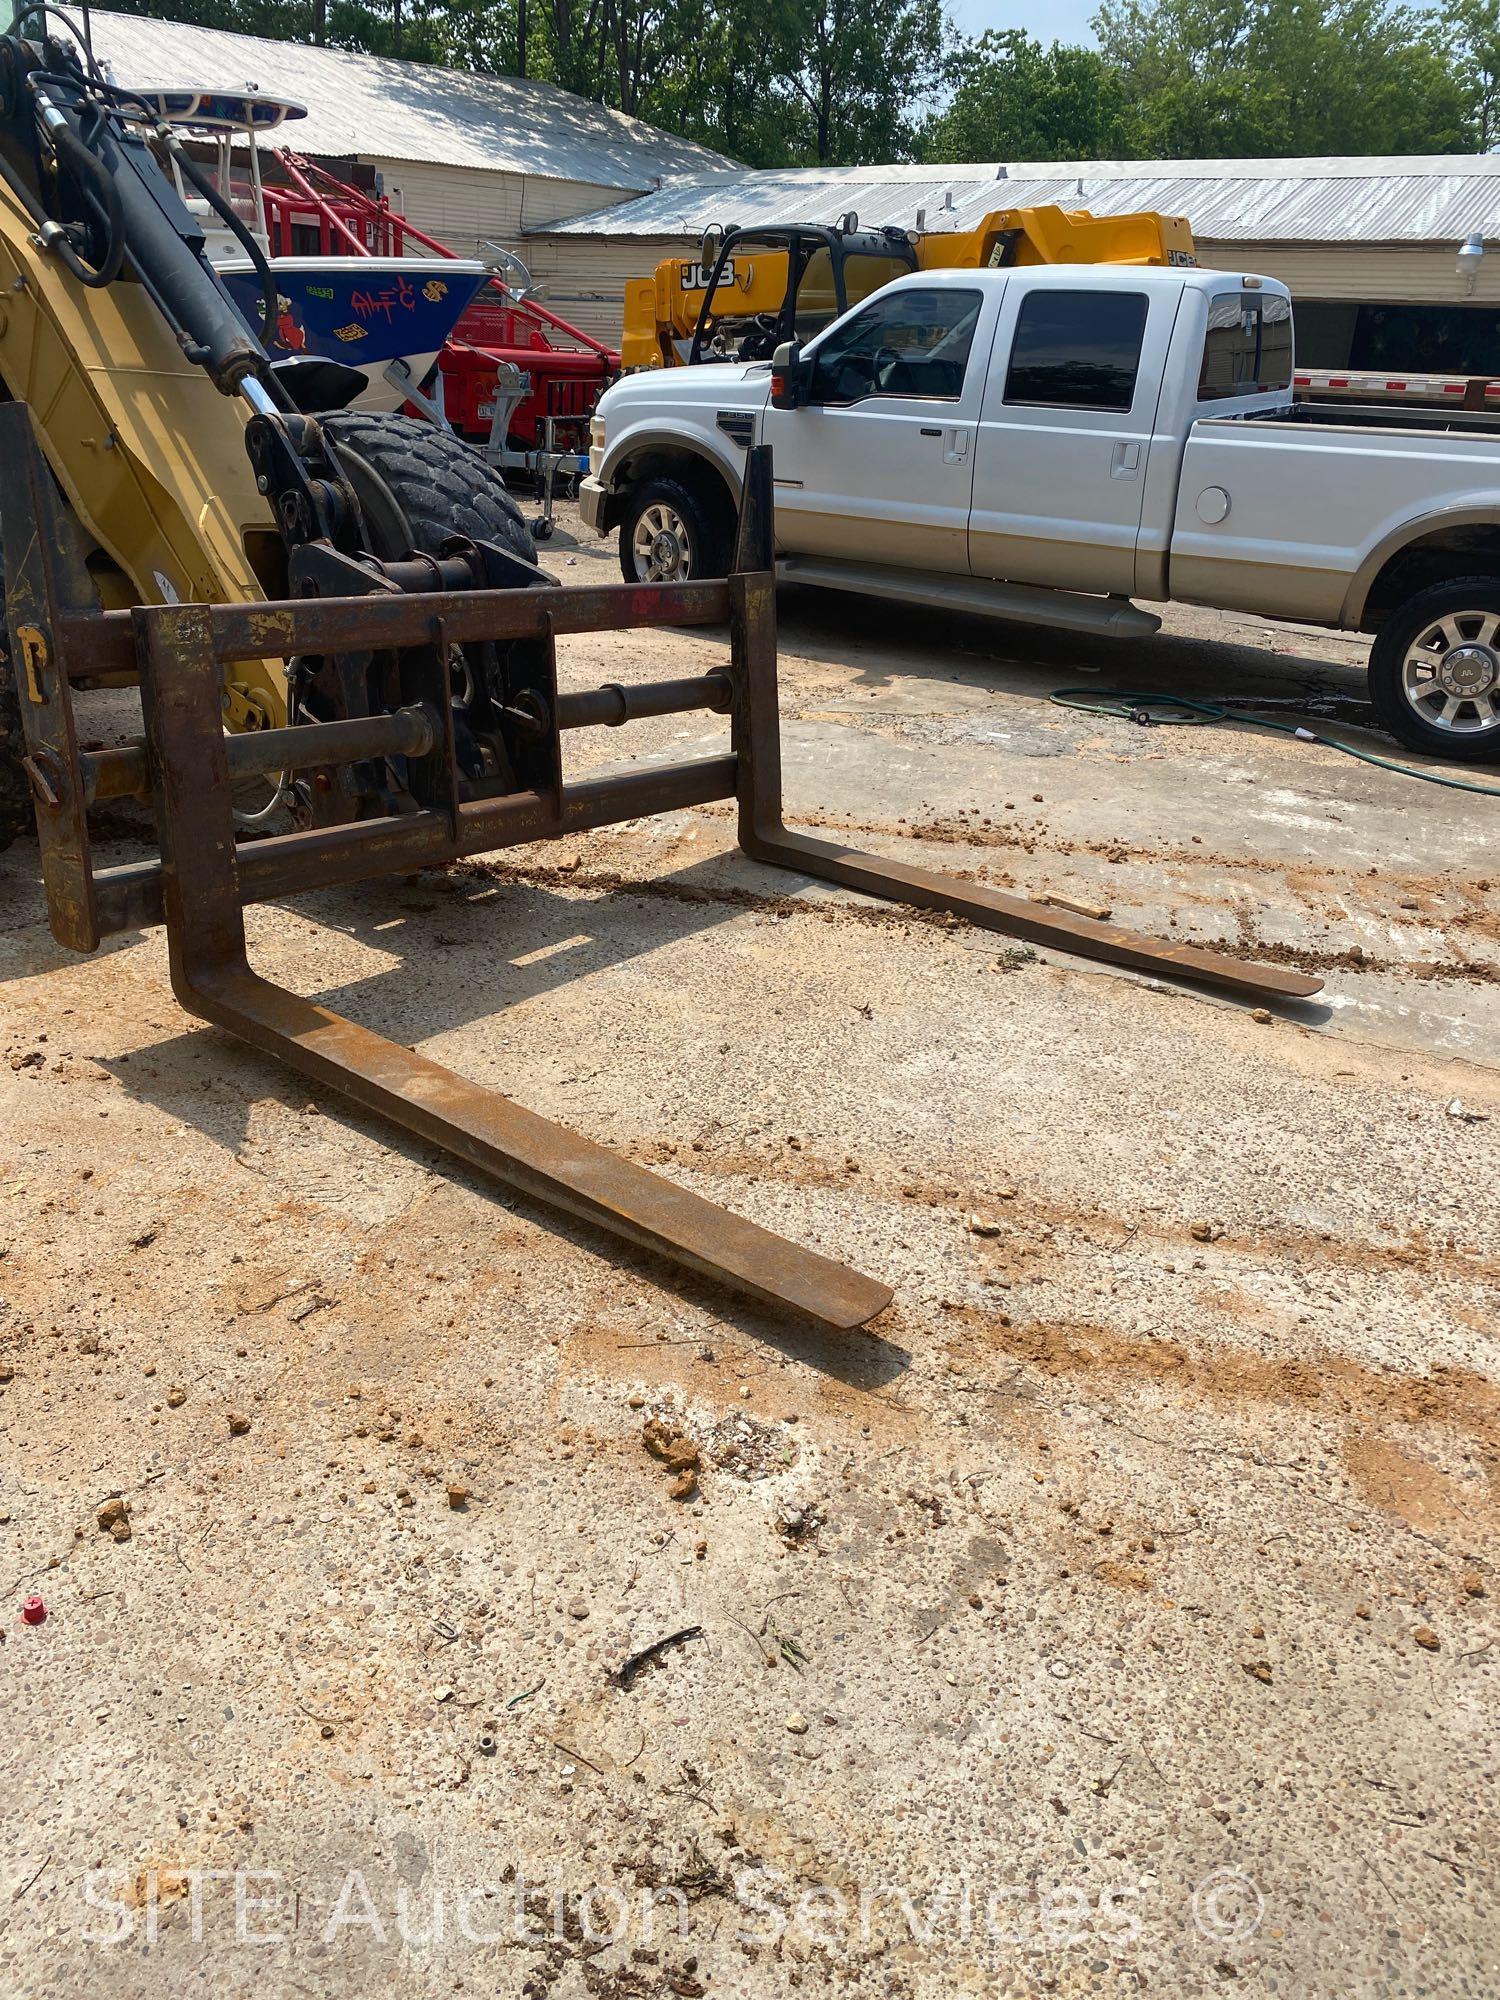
1067 431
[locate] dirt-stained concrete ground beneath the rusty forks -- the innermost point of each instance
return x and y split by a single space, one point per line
1119 1615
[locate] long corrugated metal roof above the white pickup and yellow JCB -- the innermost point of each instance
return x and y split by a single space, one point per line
1415 199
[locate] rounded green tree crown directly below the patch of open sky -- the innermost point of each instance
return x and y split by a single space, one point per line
1013 99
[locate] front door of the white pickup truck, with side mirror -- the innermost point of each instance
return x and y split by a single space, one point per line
877 463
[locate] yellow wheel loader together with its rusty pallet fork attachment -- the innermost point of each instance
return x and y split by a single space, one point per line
347 609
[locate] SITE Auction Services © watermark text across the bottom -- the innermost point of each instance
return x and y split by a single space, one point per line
265 1907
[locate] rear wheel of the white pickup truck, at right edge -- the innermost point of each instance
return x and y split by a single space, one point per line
1435 671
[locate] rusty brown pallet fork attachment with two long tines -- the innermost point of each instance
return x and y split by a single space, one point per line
203 879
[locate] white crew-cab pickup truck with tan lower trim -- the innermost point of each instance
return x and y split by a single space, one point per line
1051 443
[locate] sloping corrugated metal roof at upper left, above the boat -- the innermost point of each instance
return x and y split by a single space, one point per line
373 107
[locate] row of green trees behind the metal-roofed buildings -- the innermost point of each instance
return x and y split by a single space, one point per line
837 83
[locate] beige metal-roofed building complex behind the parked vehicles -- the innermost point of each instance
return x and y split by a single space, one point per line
1395 261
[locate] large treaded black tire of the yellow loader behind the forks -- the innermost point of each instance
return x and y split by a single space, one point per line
421 485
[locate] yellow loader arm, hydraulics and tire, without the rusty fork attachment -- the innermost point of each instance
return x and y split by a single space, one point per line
193 465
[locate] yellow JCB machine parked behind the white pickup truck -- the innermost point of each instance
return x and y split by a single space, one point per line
753 289
